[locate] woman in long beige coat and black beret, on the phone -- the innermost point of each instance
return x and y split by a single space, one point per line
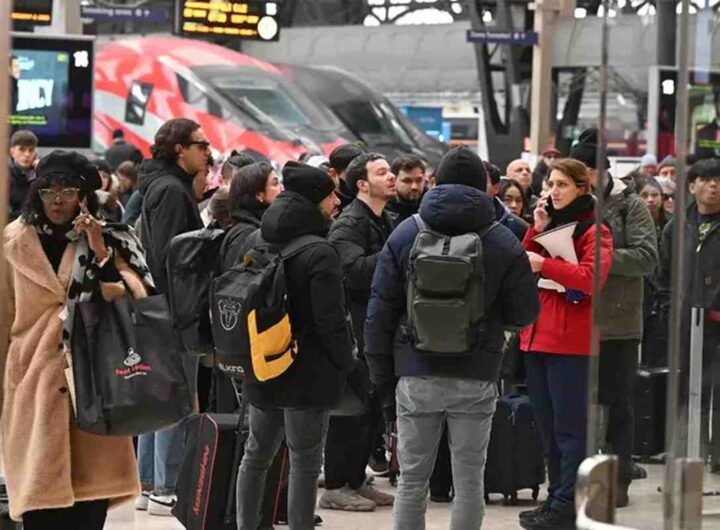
57 476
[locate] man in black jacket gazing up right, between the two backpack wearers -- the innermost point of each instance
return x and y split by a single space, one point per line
359 235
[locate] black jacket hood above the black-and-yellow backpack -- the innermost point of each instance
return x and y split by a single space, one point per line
291 215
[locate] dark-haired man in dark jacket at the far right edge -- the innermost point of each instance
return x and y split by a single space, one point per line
701 286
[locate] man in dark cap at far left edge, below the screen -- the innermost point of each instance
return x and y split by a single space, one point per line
23 147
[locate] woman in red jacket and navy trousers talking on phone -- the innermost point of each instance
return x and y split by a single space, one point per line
557 345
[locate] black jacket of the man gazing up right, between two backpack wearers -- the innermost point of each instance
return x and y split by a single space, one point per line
359 235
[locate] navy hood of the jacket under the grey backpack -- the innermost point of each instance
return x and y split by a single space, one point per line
457 209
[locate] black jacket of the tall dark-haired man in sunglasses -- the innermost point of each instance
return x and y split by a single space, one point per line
169 208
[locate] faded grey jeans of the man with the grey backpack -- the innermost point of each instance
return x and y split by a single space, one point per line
424 404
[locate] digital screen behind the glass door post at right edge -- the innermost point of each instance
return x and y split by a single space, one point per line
704 112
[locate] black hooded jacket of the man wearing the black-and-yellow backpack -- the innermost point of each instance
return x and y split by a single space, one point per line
317 312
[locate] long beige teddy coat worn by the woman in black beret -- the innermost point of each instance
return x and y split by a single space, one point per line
49 463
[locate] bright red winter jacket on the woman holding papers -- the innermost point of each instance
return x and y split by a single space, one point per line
564 327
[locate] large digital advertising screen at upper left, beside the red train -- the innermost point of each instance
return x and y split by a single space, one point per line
51 89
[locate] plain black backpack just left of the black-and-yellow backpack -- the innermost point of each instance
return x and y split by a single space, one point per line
191 265
